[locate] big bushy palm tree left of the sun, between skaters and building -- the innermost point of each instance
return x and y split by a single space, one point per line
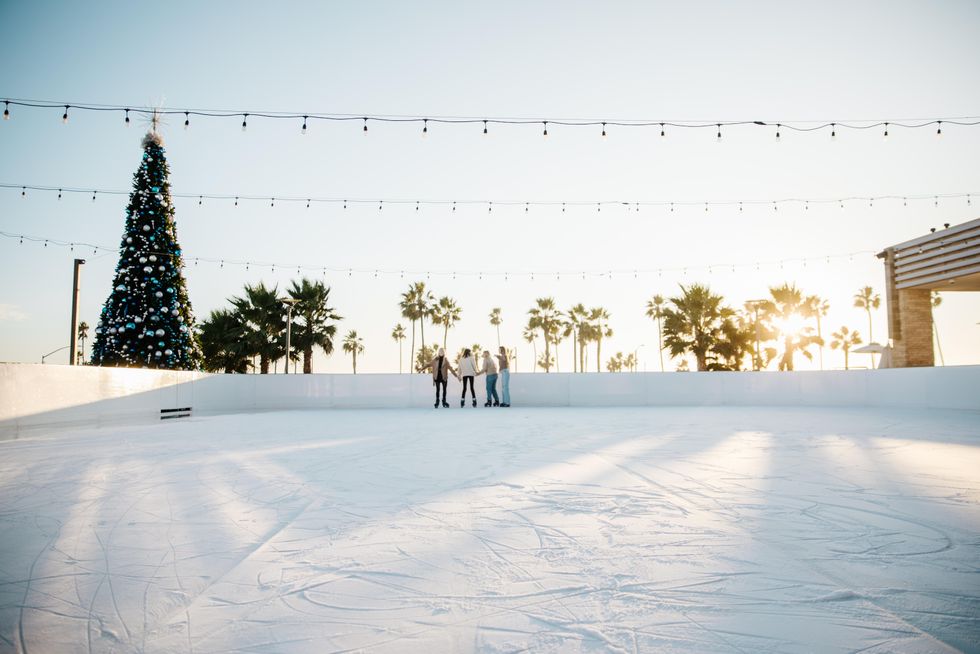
693 323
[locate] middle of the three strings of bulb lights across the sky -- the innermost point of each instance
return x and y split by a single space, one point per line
629 205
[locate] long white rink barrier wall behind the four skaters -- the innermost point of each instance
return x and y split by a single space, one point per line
36 396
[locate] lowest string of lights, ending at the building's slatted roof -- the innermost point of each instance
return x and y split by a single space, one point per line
499 275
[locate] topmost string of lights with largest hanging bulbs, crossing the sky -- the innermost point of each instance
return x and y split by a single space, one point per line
604 125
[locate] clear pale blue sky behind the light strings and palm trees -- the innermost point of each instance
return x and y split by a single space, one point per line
685 61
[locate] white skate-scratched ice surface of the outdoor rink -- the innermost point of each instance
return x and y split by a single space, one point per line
497 530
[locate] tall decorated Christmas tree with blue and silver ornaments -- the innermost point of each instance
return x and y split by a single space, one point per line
147 320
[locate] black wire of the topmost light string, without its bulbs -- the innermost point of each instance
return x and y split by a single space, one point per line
795 125
